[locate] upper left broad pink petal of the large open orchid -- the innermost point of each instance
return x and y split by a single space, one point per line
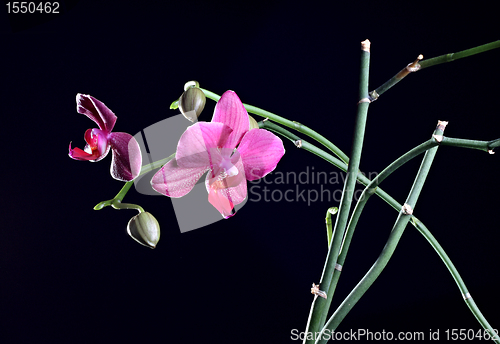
198 145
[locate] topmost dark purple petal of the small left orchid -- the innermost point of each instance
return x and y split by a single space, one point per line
96 111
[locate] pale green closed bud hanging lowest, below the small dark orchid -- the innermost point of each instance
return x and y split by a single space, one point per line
144 229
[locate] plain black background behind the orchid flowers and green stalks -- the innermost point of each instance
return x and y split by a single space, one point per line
70 274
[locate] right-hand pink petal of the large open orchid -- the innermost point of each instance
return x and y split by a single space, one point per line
260 151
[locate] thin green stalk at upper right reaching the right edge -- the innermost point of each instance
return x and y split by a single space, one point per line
416 65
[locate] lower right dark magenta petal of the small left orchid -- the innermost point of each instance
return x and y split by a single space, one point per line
127 159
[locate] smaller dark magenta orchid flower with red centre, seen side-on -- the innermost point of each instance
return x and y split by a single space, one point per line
127 160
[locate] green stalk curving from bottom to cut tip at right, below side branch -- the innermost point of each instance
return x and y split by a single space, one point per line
398 229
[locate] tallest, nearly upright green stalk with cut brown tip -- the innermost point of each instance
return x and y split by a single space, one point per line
320 306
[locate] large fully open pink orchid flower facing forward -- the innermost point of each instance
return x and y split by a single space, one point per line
228 150
